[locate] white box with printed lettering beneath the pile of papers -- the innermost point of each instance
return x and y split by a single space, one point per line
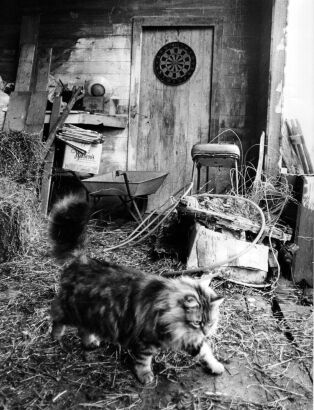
79 162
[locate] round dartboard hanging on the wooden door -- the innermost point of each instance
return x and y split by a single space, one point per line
174 63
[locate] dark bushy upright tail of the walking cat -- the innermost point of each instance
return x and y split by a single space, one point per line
67 227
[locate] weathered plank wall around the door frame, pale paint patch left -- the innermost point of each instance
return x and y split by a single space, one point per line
94 37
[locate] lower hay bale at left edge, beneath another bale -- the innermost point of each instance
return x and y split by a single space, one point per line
19 219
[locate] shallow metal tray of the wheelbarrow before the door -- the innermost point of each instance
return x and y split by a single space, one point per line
141 183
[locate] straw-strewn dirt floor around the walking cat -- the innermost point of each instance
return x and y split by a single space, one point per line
267 351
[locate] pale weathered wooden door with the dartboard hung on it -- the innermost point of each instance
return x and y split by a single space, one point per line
171 118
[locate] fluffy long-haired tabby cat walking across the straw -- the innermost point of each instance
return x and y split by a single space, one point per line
139 311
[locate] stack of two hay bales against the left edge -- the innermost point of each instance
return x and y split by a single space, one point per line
20 165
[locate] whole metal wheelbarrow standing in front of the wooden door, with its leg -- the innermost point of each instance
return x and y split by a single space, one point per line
127 185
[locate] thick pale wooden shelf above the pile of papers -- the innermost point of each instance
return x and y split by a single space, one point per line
81 117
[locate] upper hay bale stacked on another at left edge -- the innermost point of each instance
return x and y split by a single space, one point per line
21 156
